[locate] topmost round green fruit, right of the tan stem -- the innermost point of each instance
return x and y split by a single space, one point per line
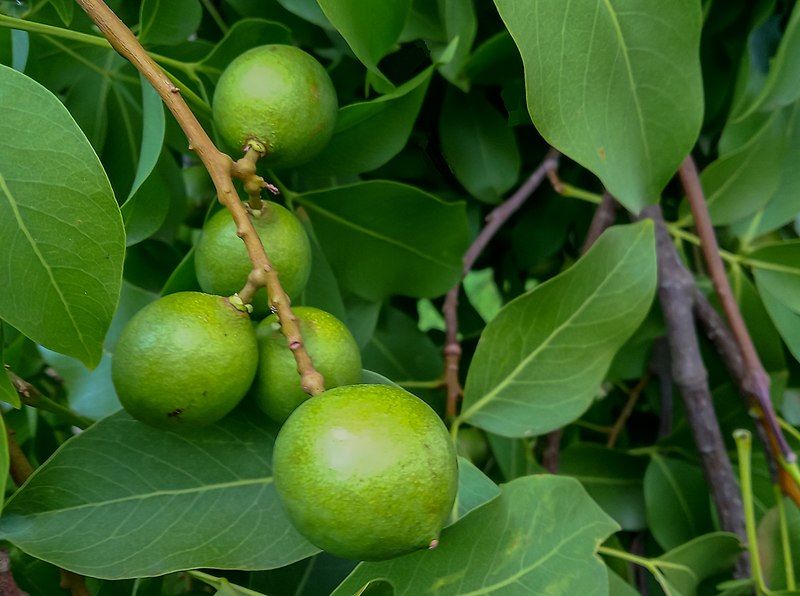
280 96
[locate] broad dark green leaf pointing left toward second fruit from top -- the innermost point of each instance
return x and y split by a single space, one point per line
384 238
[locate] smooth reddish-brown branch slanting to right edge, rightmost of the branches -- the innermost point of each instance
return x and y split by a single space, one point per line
755 381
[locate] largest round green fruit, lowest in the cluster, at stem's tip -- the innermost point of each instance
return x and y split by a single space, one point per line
366 472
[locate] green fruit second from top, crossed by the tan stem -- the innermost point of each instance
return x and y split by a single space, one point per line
222 265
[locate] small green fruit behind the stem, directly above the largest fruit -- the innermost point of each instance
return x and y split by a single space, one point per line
329 343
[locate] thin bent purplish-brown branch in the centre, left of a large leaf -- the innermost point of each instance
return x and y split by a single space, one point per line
494 221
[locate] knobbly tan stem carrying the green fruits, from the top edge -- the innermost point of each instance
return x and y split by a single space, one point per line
221 168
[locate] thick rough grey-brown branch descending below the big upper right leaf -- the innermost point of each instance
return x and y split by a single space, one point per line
676 295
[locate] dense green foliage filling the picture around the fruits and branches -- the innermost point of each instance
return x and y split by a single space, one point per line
446 109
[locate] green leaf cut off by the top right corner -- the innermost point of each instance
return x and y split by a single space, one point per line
782 87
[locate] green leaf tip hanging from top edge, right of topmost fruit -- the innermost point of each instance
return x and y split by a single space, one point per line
371 30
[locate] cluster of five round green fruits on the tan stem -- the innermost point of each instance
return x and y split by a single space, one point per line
364 471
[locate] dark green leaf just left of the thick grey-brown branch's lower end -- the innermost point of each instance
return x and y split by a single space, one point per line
677 501
